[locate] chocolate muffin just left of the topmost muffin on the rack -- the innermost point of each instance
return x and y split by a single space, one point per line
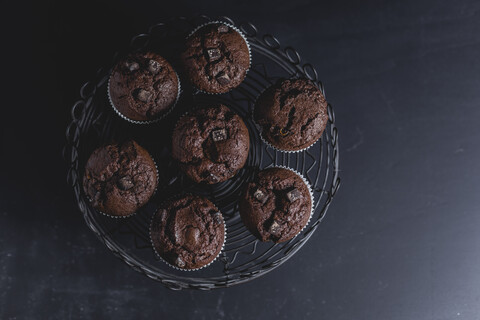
143 87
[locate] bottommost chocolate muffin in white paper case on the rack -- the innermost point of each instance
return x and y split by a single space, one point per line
188 232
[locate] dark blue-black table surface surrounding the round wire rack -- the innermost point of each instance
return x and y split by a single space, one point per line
401 238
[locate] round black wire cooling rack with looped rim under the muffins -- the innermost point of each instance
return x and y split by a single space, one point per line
244 257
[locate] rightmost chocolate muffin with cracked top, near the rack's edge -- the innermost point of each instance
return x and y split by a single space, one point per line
292 114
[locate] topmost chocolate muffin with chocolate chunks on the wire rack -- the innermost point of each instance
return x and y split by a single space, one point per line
216 58
